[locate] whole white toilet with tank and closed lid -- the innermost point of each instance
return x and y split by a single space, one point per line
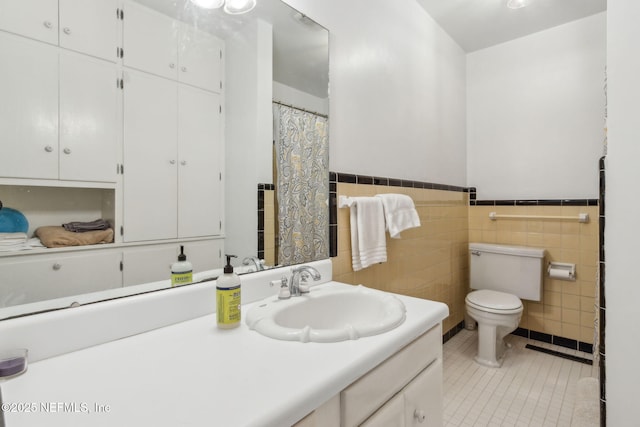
500 276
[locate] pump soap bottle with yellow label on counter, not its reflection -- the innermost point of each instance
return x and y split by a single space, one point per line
228 297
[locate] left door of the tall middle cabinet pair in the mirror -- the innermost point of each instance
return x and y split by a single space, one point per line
150 157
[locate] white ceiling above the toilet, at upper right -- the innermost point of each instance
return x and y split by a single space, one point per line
477 24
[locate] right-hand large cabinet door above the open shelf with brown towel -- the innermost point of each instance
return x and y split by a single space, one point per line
88 122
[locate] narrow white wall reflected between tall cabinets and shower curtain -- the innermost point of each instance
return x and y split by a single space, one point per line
248 134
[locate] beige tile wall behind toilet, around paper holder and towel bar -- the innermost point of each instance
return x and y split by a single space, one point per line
567 308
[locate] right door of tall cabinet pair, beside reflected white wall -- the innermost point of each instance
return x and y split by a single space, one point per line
200 157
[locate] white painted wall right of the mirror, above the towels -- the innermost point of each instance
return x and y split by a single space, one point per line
397 91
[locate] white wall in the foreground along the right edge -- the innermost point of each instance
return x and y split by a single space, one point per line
622 206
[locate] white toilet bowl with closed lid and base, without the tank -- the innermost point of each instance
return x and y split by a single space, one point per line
497 314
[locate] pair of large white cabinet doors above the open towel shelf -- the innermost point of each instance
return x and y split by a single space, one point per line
62 121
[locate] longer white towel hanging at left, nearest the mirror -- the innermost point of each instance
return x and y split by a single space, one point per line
368 244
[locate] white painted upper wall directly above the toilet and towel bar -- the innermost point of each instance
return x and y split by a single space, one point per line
535 110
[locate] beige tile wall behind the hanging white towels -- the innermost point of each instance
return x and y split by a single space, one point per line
427 262
